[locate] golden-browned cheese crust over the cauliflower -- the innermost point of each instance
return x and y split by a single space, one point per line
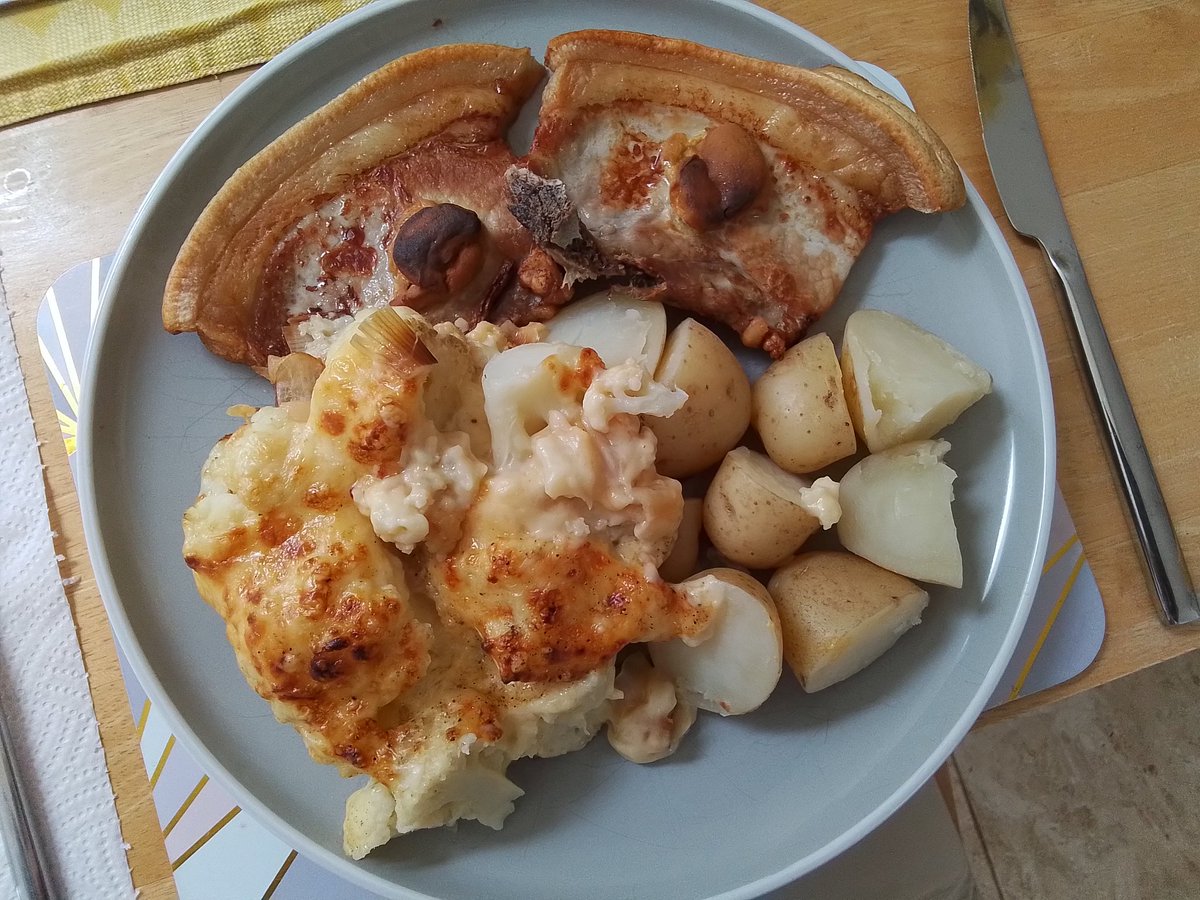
373 656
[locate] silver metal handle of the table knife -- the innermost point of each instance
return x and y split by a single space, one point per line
1156 536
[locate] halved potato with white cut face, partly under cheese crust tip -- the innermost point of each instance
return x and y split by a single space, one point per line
739 665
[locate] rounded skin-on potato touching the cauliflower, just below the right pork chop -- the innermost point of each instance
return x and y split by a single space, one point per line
718 409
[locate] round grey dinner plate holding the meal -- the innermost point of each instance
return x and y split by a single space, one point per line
748 803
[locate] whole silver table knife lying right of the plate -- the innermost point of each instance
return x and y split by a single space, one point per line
1031 201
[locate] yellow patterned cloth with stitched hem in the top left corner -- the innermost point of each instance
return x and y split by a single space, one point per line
65 53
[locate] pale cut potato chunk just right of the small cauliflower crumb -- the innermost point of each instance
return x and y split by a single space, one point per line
896 512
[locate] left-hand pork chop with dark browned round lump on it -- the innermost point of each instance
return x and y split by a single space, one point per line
393 193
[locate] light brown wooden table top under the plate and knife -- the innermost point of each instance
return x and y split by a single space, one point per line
1117 86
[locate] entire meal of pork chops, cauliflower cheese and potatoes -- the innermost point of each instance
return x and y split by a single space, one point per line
463 512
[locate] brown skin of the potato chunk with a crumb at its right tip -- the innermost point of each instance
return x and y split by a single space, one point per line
749 524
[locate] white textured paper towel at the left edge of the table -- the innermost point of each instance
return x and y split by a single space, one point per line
45 686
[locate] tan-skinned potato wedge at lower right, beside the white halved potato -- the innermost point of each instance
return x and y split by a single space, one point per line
839 614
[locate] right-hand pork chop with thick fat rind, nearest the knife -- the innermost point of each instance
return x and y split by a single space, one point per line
733 188
